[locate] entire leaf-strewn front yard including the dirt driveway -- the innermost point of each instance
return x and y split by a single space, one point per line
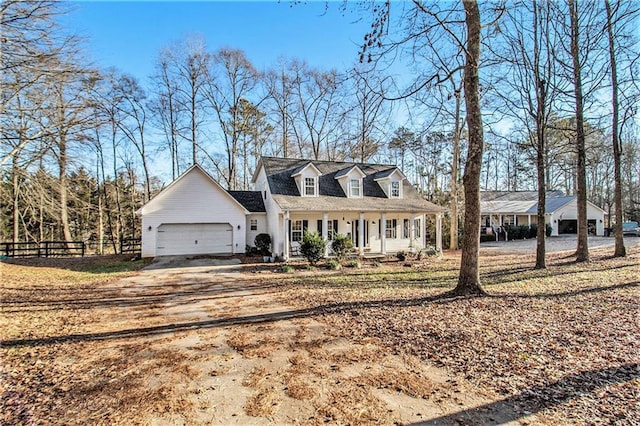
561 345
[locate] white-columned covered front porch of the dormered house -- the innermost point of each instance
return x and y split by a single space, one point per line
372 233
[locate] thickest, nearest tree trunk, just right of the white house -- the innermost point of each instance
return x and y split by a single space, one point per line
469 278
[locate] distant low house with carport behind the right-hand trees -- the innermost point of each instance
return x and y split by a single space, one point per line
499 208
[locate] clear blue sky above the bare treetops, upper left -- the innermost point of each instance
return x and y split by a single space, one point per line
129 34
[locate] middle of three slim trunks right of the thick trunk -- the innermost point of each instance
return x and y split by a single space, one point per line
582 251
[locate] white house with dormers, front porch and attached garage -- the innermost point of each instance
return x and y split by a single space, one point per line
373 204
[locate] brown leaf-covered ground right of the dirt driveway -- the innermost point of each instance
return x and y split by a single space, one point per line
562 342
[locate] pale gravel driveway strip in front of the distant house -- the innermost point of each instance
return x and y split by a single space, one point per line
555 244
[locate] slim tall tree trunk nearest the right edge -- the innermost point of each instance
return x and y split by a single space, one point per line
620 250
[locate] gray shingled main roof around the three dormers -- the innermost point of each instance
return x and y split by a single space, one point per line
331 196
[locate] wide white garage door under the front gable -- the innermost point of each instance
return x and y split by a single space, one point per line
194 238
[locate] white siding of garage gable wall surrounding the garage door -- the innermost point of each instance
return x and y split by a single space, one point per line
193 198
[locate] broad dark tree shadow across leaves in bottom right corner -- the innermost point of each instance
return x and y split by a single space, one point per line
538 398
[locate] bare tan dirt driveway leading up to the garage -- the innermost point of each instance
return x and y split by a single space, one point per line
272 364
